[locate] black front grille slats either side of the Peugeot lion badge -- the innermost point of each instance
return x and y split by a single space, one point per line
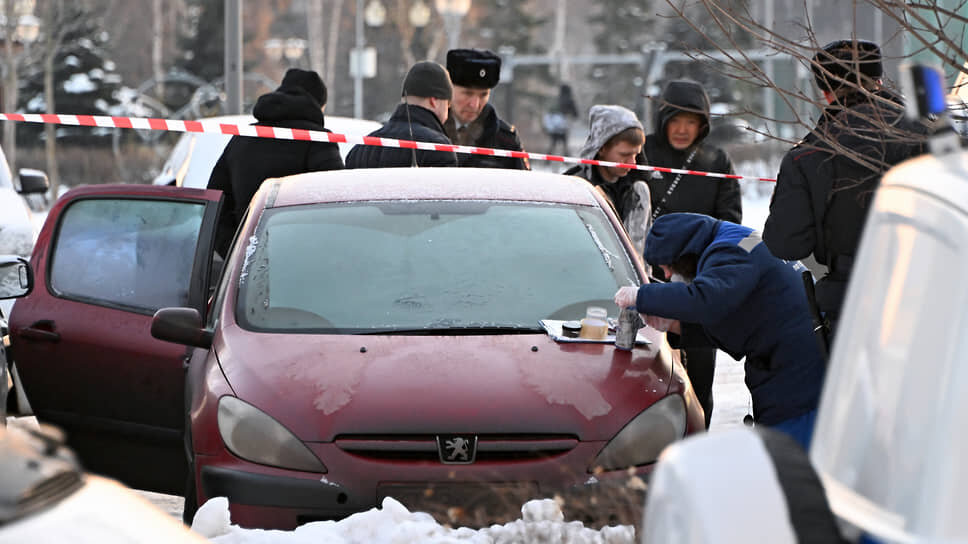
490 448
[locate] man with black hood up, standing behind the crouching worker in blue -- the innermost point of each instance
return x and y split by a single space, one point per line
681 124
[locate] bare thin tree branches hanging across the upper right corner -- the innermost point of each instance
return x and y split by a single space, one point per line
724 27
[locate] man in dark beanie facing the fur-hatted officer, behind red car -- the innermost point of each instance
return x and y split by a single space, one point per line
427 91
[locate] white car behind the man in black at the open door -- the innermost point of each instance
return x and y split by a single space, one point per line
194 155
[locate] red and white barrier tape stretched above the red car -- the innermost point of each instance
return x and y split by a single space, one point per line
261 131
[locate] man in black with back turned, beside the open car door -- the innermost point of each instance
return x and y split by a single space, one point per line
299 102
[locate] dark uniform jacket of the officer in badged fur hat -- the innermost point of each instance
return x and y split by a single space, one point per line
488 130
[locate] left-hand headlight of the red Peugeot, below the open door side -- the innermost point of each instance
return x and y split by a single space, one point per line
254 435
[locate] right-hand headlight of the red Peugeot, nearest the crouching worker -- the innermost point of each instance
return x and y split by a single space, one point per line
642 440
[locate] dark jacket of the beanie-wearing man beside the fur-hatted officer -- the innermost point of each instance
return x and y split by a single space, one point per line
419 125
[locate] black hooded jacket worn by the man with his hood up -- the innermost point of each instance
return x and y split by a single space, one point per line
716 197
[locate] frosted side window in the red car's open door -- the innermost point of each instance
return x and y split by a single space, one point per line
144 252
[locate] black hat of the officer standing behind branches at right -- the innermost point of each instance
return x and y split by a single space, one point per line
846 62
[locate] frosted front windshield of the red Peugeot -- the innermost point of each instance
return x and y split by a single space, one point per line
417 267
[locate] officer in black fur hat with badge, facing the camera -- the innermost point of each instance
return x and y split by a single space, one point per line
472 120
